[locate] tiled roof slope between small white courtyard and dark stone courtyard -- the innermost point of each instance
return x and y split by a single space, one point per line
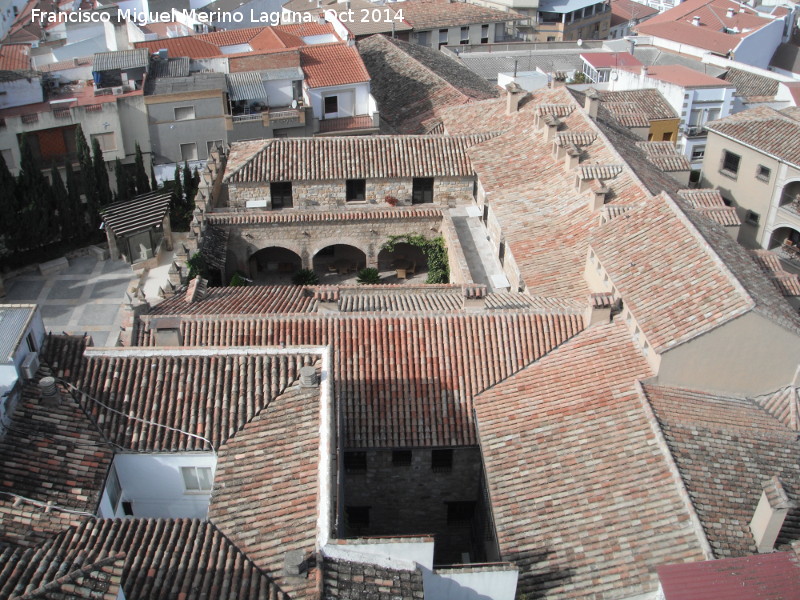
266 496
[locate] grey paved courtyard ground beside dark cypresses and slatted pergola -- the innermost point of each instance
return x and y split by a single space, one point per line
84 298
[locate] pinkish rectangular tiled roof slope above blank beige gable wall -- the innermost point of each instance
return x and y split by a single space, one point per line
704 293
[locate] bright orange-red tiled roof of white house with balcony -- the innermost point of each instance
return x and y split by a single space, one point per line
332 64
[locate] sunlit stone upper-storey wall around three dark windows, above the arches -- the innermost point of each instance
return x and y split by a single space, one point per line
330 194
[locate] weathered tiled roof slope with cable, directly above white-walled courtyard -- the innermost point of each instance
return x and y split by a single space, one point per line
176 389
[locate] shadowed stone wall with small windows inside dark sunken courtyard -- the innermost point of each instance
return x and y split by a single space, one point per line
410 500
